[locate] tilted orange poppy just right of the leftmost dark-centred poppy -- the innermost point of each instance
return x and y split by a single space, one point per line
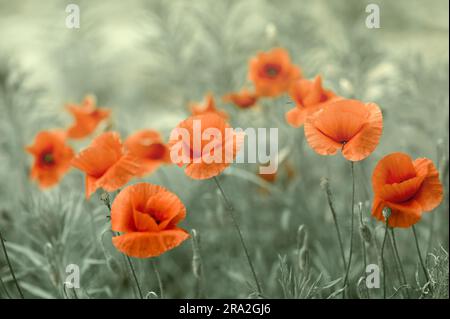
106 164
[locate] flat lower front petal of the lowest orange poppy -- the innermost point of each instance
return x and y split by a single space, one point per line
146 245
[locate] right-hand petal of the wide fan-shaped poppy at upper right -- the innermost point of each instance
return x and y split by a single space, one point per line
365 142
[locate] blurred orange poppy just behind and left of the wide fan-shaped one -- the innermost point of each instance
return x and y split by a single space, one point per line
309 96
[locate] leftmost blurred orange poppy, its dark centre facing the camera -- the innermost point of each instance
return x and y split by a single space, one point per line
51 157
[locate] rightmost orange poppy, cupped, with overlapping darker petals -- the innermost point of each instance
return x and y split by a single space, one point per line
408 187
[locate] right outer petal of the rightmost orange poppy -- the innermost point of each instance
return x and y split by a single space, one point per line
431 192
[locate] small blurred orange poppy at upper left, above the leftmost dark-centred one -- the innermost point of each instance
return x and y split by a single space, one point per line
87 117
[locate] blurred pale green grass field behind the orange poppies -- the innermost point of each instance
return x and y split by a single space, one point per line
146 61
